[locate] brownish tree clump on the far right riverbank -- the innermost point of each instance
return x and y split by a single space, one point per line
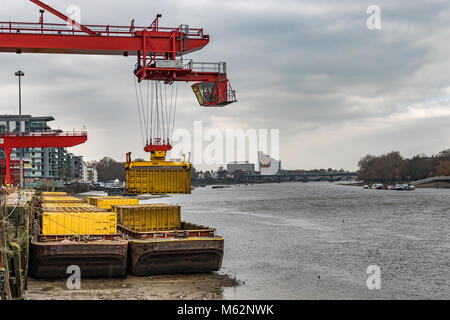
393 167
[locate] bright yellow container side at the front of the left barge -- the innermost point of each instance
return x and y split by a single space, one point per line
70 223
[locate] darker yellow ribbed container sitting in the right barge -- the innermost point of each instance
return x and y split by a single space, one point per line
146 218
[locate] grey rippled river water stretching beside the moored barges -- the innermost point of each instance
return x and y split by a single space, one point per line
316 240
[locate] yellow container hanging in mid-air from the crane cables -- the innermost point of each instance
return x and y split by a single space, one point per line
157 180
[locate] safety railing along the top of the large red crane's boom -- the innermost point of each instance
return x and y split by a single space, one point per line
101 30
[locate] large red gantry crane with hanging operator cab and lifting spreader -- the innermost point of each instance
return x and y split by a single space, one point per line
159 52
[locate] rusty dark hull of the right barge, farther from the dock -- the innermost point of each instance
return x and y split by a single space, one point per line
193 249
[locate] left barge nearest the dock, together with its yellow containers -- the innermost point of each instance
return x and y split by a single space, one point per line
74 232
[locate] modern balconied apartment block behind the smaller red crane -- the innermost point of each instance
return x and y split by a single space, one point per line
42 163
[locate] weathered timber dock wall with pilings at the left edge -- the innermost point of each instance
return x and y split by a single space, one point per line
16 219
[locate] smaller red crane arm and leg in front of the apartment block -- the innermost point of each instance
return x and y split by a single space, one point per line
8 141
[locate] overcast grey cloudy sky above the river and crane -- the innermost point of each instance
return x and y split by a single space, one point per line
334 88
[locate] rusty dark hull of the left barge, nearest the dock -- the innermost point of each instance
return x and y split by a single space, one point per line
95 259
